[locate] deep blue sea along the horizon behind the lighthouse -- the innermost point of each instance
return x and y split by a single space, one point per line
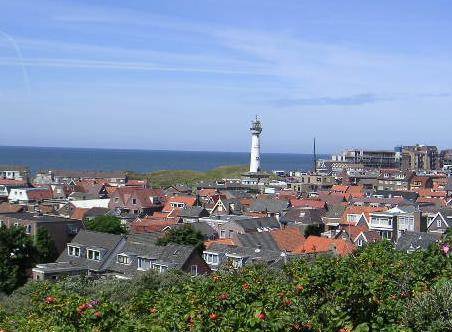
143 161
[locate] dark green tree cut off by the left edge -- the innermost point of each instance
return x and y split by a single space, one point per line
17 254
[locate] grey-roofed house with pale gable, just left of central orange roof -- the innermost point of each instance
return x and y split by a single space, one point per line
241 226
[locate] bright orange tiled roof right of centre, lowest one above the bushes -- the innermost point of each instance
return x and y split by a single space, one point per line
316 244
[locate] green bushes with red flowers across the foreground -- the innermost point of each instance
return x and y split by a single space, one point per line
375 289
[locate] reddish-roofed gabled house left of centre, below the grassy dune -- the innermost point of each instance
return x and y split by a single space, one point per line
130 202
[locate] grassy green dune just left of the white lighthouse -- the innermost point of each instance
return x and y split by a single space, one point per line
167 178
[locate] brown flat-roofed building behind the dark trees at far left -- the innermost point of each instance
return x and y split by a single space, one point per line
61 230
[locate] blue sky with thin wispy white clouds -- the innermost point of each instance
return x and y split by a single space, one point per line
191 75
